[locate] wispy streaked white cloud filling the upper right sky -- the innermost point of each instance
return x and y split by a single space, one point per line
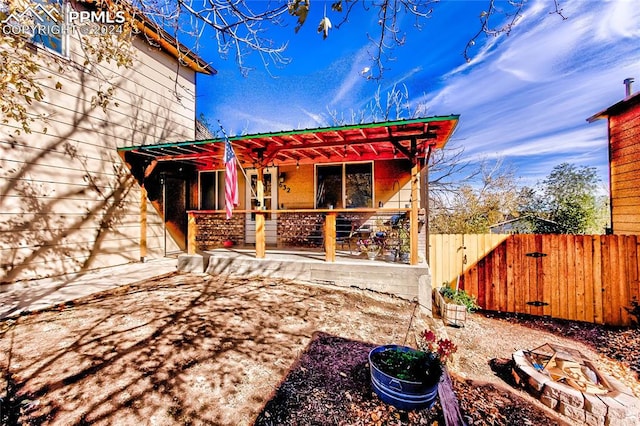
530 98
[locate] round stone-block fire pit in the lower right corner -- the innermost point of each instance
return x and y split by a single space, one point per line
566 381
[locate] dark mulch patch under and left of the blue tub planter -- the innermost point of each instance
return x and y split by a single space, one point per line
329 384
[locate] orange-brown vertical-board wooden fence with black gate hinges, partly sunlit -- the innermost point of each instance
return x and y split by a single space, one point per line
577 277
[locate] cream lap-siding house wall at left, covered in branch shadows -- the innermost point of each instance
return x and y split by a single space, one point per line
67 201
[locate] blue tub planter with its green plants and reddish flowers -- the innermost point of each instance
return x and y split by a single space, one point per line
408 378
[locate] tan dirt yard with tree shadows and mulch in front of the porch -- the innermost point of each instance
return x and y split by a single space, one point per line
197 349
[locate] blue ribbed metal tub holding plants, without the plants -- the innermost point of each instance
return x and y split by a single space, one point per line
402 394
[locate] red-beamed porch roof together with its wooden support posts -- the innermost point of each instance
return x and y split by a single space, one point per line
413 139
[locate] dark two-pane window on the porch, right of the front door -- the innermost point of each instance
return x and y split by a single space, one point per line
346 185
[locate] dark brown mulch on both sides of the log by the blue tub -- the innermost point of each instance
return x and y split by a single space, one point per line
330 385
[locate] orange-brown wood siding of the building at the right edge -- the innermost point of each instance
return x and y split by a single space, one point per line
624 140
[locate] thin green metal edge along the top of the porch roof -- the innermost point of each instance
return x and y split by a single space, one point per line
299 132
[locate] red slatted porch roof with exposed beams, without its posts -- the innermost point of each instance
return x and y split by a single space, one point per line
375 141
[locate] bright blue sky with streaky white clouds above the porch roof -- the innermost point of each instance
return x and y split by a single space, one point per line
523 97
